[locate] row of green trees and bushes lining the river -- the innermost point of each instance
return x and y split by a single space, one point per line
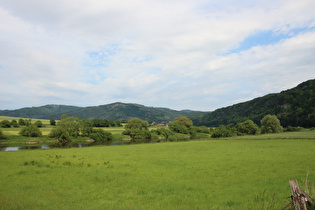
137 129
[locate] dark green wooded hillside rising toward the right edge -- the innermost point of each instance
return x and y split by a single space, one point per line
295 107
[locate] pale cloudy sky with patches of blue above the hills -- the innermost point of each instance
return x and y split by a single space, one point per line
180 54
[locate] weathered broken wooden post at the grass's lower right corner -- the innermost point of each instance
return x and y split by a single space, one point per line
299 198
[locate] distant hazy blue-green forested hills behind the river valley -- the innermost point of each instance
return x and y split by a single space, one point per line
115 111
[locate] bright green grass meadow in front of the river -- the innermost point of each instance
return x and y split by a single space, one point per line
219 174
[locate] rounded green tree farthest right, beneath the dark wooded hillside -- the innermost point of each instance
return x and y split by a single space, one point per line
271 124
